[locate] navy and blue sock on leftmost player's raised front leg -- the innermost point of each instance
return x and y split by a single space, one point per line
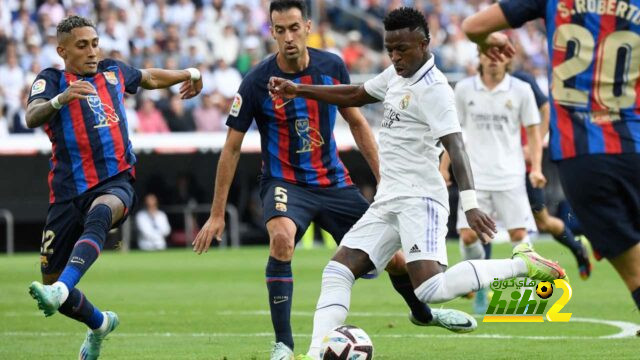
88 247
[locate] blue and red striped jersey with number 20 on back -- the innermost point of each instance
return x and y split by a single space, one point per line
594 49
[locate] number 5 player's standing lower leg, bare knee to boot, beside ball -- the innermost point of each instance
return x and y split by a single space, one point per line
279 278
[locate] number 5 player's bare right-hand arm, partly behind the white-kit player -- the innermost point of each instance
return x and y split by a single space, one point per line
364 138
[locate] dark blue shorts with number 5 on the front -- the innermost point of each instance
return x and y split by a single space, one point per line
333 209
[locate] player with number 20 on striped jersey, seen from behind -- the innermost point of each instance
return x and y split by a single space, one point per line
594 50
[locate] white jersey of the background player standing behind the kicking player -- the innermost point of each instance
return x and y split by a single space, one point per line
491 123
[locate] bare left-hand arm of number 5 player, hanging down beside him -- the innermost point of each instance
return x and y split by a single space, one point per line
227 165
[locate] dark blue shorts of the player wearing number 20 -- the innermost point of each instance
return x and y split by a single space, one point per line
604 193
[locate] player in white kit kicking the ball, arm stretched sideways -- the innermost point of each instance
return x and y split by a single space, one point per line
410 209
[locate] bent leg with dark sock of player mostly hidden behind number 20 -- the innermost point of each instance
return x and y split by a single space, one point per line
556 227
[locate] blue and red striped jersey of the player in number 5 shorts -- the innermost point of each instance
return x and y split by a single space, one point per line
297 134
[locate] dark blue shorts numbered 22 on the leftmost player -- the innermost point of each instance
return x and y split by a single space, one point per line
65 220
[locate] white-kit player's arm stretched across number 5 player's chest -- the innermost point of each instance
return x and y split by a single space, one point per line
341 95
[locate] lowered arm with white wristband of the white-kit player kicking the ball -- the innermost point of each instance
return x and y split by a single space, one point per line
480 222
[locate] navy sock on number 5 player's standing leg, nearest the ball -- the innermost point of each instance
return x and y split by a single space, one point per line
280 287
